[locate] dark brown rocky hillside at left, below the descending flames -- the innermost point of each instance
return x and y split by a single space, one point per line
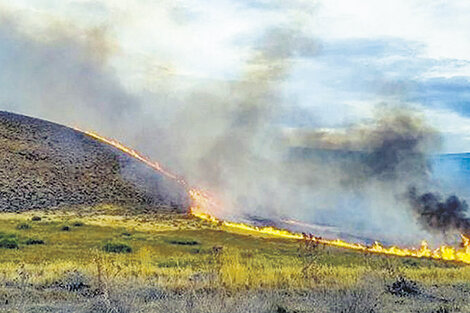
46 165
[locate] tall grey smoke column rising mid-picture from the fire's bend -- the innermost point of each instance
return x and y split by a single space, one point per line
244 158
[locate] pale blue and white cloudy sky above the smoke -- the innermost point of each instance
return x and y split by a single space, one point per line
367 52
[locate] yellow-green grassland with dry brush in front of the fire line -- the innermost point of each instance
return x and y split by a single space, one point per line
67 261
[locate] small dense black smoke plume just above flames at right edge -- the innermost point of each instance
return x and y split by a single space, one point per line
435 214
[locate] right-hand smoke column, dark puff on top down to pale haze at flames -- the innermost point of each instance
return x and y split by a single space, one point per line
356 176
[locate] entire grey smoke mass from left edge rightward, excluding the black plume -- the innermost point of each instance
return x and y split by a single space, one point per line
225 135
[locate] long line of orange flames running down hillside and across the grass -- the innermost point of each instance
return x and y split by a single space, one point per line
202 203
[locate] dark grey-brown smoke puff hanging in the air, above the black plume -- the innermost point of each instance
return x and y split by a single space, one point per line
391 145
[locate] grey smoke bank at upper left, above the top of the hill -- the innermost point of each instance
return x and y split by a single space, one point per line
59 72
